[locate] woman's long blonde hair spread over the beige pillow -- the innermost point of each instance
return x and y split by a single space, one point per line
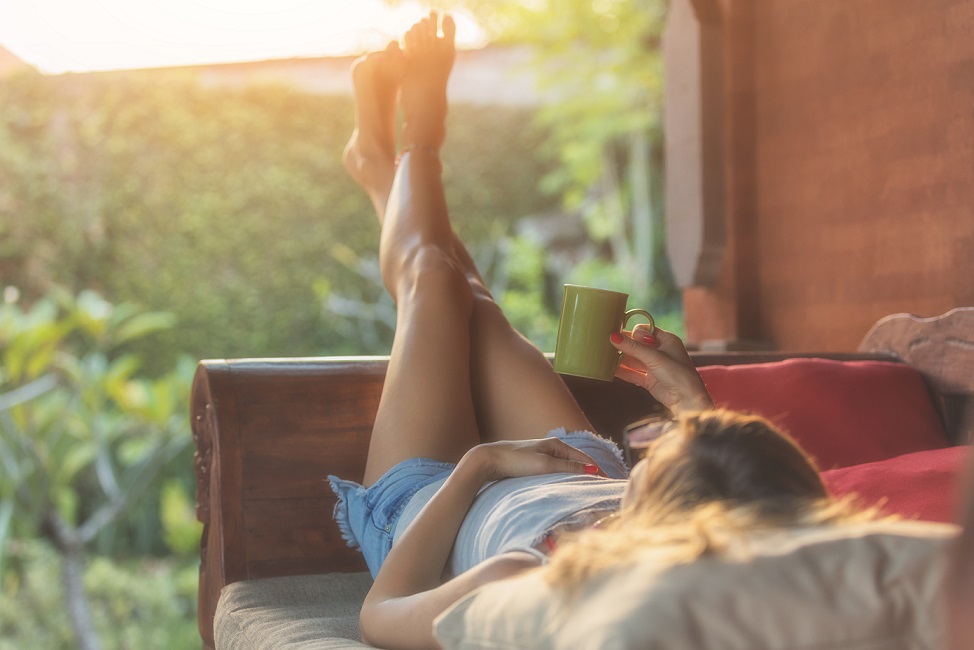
714 477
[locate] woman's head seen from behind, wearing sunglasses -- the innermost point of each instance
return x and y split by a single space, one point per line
727 458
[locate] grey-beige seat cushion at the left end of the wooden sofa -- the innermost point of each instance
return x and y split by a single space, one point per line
314 612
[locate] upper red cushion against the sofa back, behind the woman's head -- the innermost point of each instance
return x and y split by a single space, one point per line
841 412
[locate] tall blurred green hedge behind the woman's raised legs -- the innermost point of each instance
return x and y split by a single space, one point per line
228 207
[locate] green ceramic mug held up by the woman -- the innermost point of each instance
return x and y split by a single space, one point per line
588 317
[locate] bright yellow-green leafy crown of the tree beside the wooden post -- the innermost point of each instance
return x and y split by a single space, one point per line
602 61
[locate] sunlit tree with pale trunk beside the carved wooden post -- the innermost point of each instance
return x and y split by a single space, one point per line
600 65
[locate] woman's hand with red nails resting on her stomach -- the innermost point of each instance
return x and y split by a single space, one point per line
508 458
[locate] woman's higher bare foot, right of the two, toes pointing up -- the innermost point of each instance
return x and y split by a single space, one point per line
429 59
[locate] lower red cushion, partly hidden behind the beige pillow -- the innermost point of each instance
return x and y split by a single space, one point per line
923 485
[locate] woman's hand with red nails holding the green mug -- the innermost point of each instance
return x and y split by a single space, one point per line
659 362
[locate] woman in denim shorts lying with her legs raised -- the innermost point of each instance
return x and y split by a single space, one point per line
461 485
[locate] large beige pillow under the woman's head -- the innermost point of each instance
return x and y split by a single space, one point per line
863 586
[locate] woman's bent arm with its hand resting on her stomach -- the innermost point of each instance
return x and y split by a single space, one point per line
407 594
